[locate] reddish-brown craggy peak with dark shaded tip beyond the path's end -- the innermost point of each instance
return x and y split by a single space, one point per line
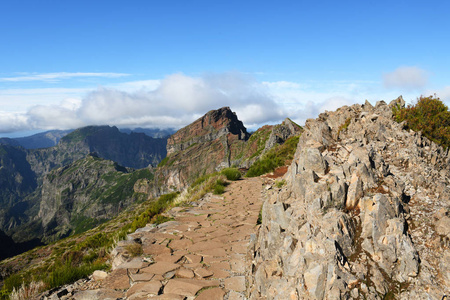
202 147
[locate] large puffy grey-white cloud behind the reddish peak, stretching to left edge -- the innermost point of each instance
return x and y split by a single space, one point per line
174 101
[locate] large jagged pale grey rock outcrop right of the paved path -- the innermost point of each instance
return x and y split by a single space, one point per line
364 214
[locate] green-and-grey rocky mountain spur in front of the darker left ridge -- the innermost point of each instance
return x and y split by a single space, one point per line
83 194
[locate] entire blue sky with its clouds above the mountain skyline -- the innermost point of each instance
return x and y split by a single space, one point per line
65 64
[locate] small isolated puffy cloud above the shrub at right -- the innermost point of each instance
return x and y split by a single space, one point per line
409 78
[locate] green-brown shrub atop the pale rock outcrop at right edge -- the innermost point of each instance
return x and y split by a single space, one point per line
430 116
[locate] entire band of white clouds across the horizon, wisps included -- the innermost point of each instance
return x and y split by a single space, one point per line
178 99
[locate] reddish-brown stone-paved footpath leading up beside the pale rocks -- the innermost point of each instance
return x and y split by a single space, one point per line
201 254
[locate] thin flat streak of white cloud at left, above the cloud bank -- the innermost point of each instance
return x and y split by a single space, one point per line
59 76
